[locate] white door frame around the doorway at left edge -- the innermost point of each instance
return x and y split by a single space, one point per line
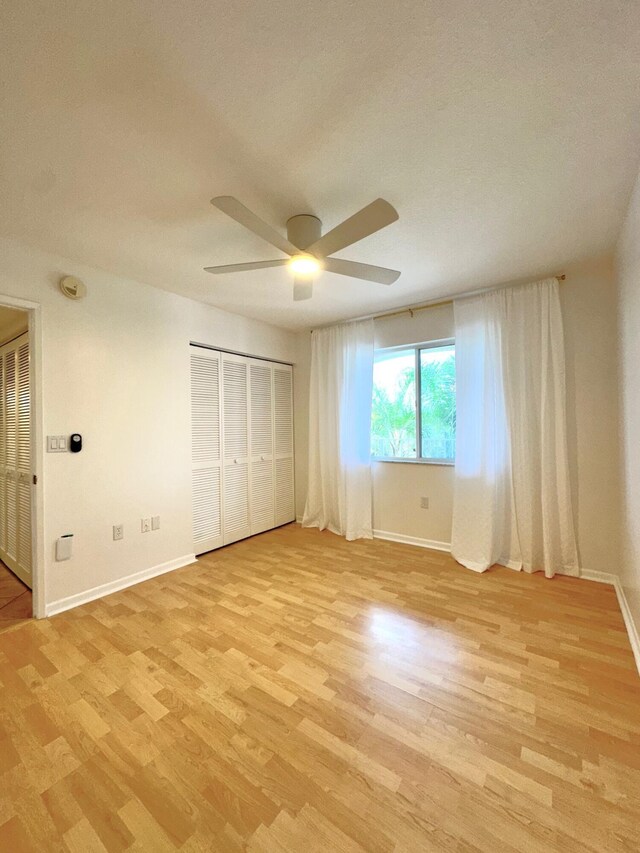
34 312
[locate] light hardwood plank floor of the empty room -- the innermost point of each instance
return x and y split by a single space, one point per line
296 692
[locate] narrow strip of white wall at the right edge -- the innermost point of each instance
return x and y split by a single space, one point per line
628 268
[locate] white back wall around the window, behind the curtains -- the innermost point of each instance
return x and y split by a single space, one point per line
589 309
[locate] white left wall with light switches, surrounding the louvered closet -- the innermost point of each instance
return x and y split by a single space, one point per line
116 369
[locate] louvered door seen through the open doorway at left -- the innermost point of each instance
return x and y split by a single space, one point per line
15 459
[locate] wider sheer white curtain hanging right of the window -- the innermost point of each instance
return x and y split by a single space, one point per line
512 498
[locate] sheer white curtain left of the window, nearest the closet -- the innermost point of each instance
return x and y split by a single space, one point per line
339 491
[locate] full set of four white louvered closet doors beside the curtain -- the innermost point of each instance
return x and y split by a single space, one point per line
242 440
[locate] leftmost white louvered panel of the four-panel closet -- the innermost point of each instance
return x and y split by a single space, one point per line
206 454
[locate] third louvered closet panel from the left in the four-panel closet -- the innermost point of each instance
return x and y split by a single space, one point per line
261 471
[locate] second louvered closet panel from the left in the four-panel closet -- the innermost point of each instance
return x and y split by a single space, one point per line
235 407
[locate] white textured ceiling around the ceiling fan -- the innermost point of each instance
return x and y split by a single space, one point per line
505 132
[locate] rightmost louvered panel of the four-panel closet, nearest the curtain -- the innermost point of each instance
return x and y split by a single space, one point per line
283 443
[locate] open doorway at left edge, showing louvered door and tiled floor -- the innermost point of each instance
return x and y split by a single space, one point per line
18 556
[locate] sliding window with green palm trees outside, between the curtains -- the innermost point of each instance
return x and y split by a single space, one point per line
413 413
